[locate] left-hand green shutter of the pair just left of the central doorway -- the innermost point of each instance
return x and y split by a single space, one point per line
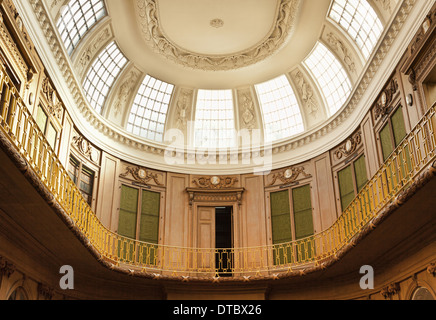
128 212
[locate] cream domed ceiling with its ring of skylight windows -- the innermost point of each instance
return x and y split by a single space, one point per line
285 71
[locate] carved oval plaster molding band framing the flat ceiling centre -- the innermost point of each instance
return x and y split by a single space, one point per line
148 18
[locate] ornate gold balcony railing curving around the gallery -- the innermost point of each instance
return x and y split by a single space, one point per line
412 156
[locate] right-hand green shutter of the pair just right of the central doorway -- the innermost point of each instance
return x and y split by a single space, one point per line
303 217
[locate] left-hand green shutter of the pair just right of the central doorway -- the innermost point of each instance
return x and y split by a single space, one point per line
281 227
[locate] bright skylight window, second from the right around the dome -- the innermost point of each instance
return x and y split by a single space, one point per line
331 77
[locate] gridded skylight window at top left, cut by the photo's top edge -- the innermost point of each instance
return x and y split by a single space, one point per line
77 17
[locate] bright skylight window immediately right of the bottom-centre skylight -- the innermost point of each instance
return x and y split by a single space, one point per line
281 113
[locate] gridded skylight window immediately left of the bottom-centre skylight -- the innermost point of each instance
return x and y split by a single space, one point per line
149 112
